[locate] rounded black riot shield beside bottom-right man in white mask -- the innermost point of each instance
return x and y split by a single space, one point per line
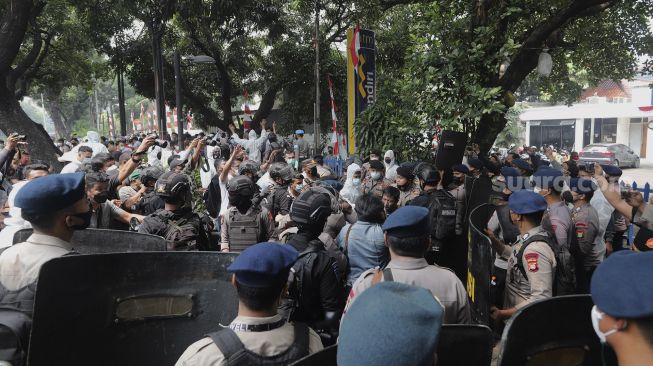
556 331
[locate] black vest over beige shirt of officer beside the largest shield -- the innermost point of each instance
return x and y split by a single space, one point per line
236 354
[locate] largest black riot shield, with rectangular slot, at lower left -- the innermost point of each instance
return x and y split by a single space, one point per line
129 308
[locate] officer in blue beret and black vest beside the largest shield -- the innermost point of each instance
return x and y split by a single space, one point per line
258 335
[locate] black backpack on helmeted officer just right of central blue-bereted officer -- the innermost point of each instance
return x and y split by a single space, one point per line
442 207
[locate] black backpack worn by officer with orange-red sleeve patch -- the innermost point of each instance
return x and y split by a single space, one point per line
564 280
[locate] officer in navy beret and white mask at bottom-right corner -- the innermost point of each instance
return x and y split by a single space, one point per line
623 306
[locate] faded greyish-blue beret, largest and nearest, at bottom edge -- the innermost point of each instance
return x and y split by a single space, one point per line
391 323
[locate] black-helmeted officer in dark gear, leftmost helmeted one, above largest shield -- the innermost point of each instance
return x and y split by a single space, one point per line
177 223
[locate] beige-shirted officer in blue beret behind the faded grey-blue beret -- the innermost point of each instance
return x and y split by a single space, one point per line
407 235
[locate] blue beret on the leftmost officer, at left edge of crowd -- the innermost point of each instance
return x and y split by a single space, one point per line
51 193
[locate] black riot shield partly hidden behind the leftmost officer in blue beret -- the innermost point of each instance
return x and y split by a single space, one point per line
99 241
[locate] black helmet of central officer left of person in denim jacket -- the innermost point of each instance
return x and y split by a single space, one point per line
311 208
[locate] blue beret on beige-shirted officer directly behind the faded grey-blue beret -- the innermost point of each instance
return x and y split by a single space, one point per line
408 221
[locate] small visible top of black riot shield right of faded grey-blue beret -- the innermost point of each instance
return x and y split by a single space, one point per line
469 345
